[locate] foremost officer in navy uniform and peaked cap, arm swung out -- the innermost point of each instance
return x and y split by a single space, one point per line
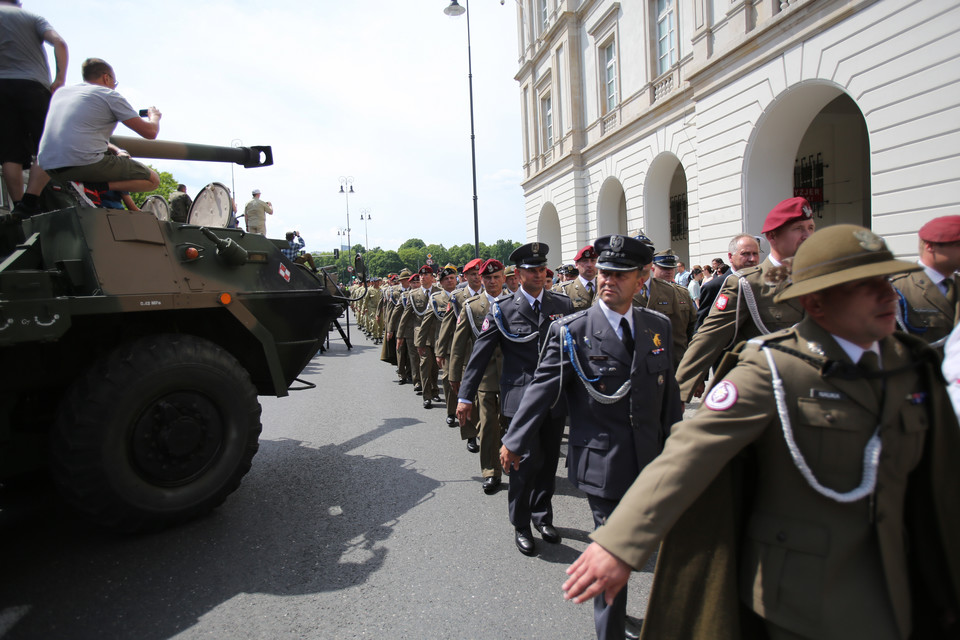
612 363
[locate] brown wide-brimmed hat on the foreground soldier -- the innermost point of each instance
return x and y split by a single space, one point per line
837 255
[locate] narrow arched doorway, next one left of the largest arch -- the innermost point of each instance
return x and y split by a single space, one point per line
665 205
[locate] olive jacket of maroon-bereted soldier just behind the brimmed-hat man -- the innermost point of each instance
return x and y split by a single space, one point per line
730 322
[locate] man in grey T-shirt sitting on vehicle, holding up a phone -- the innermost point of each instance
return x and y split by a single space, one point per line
76 140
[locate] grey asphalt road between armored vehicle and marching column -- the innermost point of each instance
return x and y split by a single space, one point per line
362 517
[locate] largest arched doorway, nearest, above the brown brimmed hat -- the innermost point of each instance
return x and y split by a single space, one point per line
812 140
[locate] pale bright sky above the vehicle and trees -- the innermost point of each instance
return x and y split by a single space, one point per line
376 90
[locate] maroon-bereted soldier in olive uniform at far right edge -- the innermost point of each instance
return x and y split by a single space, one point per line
928 298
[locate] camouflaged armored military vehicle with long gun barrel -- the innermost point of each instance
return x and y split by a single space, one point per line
133 351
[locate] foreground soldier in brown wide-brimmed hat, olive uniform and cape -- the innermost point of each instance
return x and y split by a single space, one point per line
840 518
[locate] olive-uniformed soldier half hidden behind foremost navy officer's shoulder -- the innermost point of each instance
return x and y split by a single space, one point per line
667 298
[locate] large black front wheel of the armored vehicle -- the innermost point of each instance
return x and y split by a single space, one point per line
158 431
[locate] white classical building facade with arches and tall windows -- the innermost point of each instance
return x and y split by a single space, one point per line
690 119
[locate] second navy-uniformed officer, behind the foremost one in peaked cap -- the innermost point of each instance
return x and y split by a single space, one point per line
518 325
